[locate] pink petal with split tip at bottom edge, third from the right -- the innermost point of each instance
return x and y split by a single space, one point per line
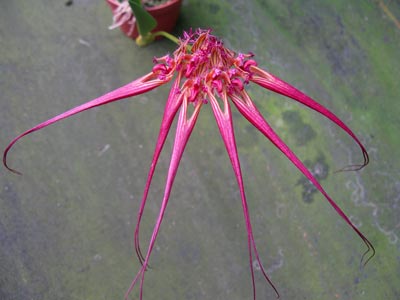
224 122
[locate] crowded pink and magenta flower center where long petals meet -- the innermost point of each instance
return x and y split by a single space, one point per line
205 63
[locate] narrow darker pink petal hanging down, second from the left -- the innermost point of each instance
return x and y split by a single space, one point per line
173 103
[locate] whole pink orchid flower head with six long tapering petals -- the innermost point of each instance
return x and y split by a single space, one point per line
202 71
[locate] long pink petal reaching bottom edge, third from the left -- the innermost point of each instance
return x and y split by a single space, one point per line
183 131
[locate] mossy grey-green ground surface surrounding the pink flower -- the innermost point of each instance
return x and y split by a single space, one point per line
66 225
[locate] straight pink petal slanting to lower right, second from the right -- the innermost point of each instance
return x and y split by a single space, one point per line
248 109
